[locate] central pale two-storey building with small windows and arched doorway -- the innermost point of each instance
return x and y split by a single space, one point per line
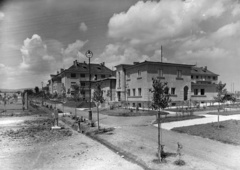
134 82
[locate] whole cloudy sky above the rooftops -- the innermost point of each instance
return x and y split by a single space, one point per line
38 37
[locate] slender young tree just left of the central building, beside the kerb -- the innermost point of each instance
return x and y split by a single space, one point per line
98 98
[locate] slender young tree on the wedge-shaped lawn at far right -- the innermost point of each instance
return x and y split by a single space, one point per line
221 92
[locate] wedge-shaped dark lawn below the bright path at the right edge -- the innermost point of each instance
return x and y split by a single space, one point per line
227 133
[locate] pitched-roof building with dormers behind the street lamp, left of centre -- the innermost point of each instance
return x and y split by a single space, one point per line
78 73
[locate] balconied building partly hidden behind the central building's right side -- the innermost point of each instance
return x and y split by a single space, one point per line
203 84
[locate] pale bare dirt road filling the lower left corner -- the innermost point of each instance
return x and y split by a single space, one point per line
73 152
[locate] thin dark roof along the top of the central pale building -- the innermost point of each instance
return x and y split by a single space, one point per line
153 62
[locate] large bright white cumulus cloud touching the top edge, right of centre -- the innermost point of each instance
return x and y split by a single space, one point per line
151 21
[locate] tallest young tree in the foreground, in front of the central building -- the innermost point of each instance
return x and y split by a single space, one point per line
160 101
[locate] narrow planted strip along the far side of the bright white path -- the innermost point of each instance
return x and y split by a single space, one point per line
178 118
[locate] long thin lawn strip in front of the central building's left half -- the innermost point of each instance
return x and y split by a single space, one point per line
127 112
